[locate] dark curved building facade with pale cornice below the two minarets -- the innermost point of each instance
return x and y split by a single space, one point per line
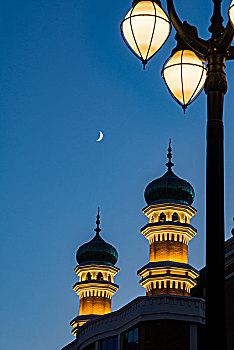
149 322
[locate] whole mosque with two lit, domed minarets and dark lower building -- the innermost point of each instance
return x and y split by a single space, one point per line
172 313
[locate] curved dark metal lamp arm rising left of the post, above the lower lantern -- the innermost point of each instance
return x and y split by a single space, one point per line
197 44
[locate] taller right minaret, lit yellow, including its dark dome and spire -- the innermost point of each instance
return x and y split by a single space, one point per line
169 210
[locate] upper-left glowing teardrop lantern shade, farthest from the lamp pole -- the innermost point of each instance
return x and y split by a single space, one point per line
145 29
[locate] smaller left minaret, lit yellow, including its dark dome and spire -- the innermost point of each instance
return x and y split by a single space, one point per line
96 271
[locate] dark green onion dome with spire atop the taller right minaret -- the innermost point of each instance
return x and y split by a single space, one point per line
169 187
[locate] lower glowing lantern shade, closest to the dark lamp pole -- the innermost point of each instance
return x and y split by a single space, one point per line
184 74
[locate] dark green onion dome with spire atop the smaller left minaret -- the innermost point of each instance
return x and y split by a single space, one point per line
97 251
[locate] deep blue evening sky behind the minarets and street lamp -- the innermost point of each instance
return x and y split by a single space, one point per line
65 75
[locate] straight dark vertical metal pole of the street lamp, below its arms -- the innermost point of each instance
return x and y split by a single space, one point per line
215 88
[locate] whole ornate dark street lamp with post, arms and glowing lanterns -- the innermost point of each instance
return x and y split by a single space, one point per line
186 61
